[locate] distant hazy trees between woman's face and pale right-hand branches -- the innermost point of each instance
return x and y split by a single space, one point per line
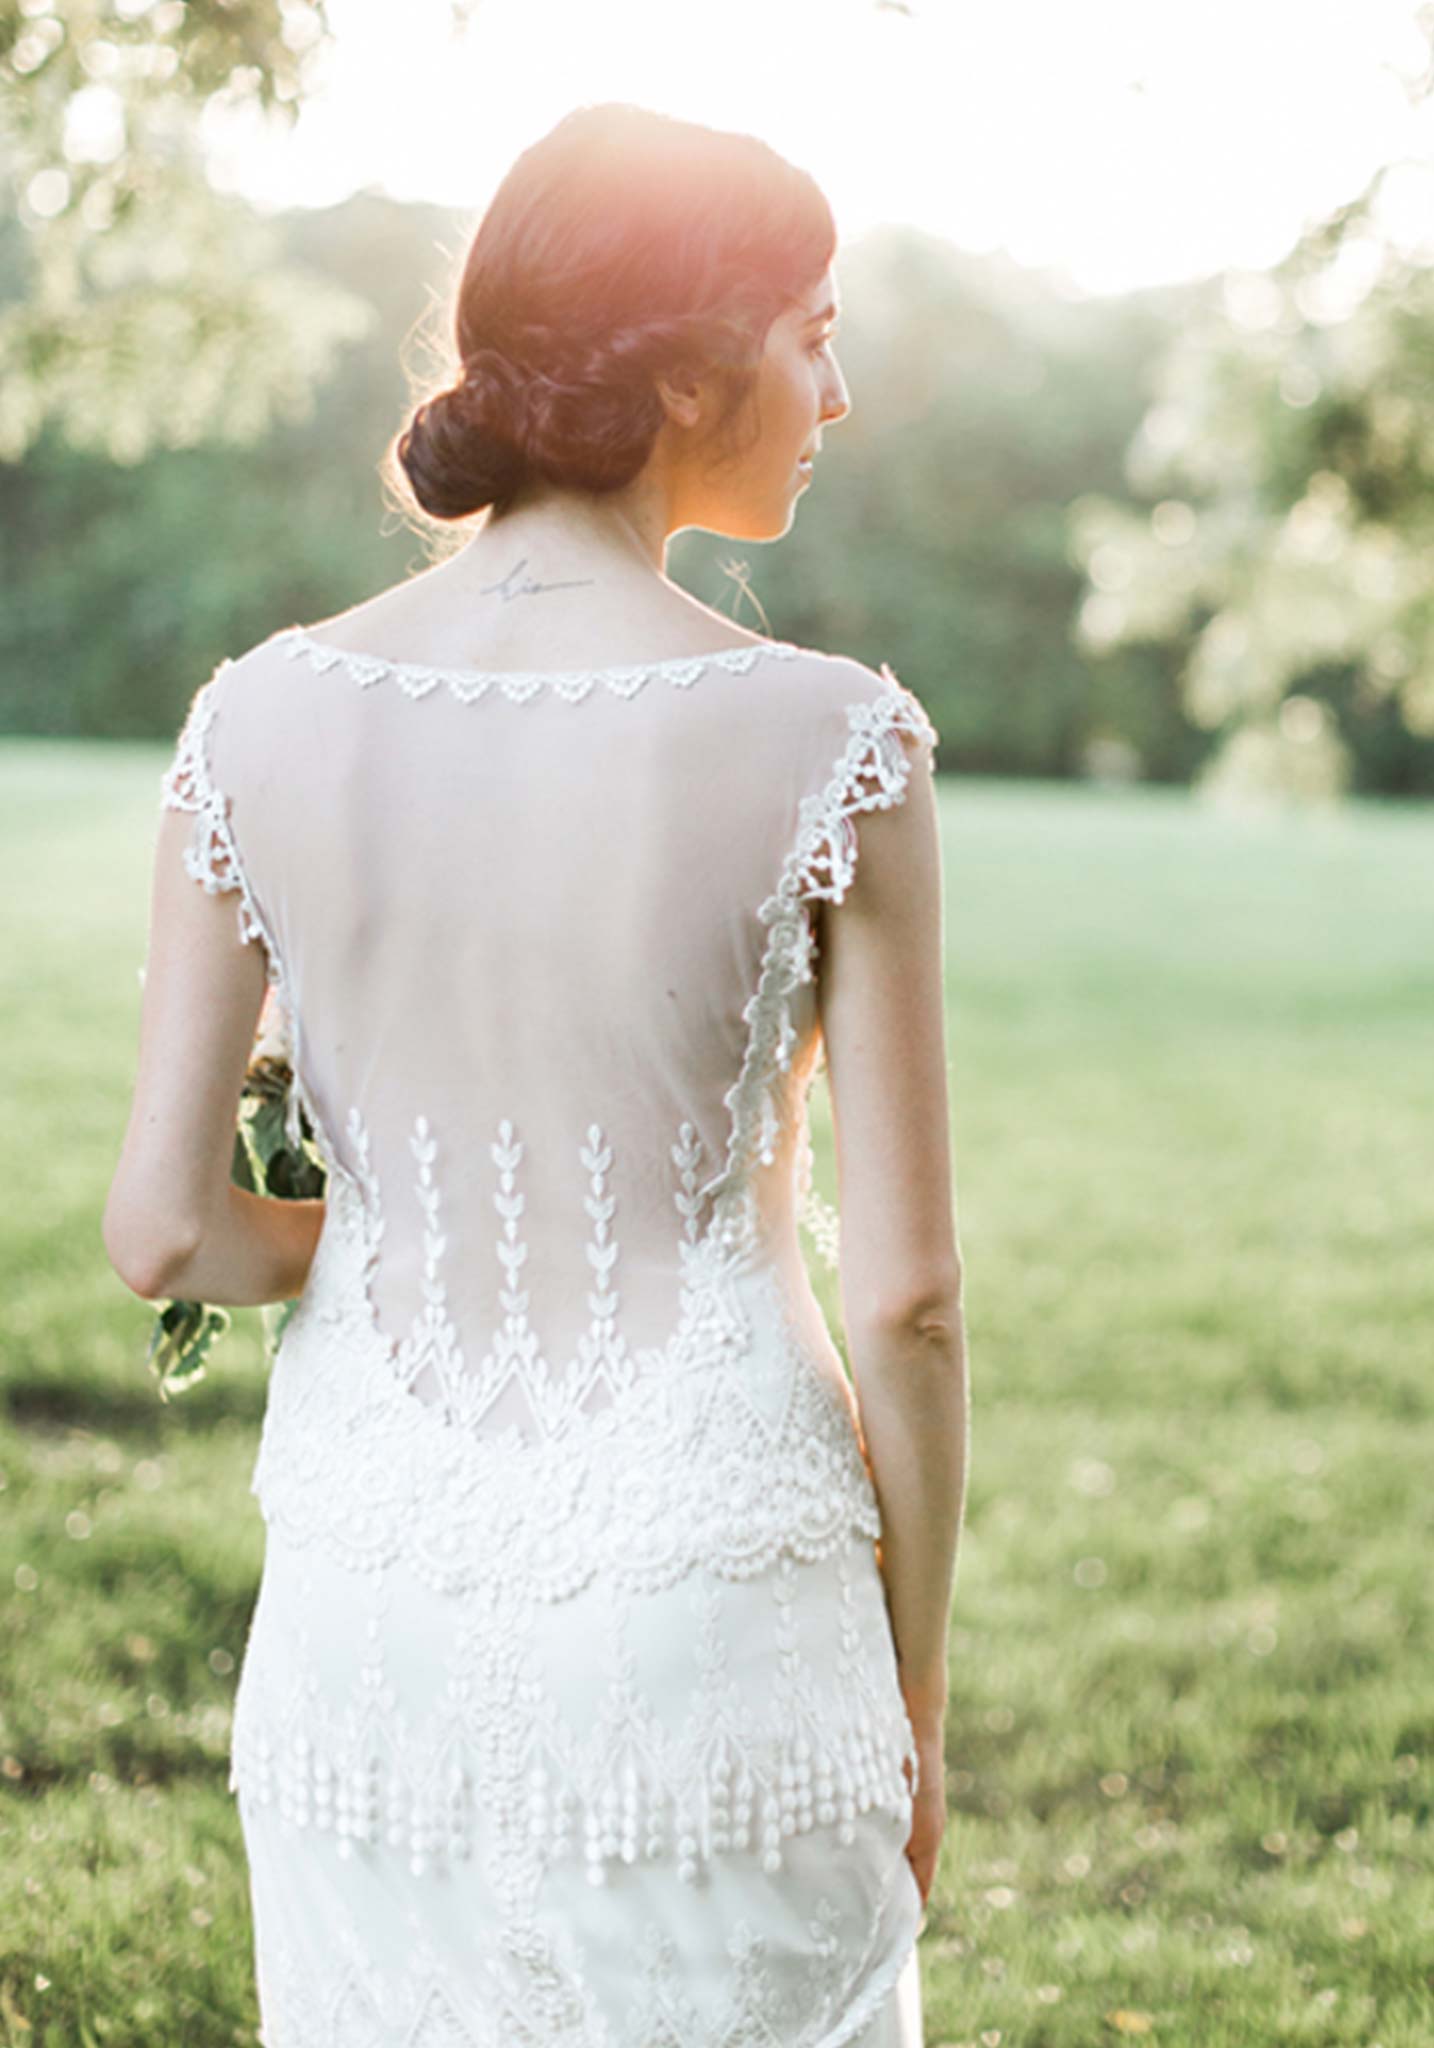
984 400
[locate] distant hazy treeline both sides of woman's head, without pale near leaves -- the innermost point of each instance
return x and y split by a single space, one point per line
945 517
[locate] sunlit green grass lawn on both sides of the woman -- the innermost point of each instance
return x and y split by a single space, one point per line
1193 1689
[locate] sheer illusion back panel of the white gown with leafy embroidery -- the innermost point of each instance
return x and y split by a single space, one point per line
525 937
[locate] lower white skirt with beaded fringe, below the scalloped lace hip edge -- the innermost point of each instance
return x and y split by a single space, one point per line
663 1820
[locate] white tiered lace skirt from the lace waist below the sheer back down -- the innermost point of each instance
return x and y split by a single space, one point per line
589 1746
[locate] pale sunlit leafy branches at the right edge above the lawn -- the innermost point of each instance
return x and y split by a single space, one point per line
1283 525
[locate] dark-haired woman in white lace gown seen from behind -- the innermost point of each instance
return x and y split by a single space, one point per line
581 1705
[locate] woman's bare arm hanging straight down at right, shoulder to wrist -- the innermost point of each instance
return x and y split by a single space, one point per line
882 998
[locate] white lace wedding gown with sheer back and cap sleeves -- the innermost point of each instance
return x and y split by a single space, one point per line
568 1715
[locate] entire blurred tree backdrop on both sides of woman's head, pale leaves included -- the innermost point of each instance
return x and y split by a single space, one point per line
1173 536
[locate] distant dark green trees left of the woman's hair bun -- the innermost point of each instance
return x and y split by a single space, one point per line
128 581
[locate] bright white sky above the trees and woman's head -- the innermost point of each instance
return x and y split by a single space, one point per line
1111 144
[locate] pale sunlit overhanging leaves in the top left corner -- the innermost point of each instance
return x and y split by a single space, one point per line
151 310
